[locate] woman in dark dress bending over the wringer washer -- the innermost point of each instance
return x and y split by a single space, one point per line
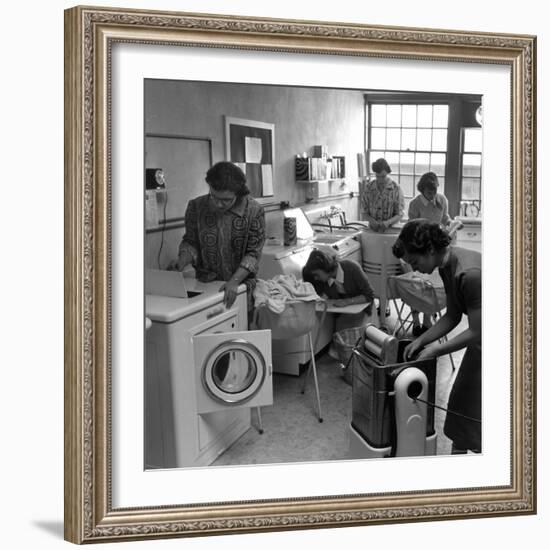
426 246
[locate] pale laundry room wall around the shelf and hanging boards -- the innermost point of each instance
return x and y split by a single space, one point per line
303 117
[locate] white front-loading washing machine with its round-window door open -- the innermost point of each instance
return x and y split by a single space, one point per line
204 372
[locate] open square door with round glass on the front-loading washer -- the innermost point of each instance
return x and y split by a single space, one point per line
233 366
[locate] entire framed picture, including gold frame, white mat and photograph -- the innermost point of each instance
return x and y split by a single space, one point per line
275 237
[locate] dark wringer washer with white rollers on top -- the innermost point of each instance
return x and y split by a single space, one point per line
388 418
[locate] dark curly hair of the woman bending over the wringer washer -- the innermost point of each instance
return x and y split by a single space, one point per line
420 237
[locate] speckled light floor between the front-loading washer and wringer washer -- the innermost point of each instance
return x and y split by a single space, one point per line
292 432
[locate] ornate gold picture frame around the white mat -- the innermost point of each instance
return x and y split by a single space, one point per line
90 35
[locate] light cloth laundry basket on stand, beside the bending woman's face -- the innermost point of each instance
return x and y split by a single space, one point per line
417 292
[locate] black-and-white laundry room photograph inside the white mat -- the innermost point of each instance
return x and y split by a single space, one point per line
313 274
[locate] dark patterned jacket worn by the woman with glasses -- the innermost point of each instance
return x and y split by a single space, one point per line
219 242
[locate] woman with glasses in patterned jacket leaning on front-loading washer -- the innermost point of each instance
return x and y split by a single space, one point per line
224 233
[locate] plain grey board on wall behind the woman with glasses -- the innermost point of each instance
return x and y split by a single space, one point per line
184 161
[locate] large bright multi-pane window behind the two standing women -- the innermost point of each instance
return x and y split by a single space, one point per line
412 138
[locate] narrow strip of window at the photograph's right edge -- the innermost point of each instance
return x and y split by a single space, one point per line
470 195
